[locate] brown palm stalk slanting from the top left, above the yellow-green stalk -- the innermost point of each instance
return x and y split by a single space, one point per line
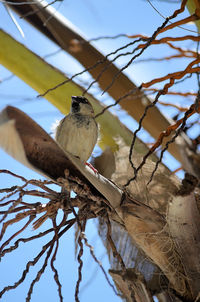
63 34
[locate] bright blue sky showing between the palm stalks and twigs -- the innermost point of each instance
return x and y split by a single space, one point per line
93 19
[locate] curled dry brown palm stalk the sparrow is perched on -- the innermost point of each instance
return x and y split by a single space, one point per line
21 137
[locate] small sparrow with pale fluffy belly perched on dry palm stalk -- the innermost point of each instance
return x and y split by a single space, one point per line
77 132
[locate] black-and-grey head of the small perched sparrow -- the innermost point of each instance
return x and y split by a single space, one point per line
81 105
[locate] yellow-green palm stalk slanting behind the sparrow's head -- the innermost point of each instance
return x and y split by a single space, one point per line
33 70
